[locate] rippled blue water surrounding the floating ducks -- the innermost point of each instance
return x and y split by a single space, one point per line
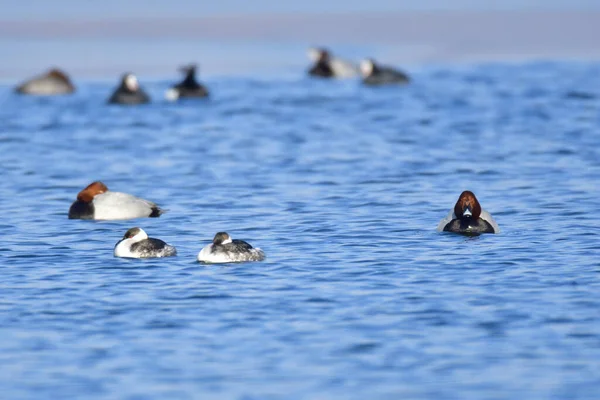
342 186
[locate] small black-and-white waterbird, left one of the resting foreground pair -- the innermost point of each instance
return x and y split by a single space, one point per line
137 244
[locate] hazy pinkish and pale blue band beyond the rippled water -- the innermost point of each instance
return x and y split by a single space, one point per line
242 44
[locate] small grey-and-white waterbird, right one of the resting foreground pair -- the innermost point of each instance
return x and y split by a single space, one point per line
223 249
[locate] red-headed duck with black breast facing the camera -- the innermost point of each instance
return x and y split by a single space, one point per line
468 217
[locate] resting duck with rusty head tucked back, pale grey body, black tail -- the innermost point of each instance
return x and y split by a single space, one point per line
98 203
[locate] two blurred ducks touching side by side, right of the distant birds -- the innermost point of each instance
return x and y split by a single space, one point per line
328 66
